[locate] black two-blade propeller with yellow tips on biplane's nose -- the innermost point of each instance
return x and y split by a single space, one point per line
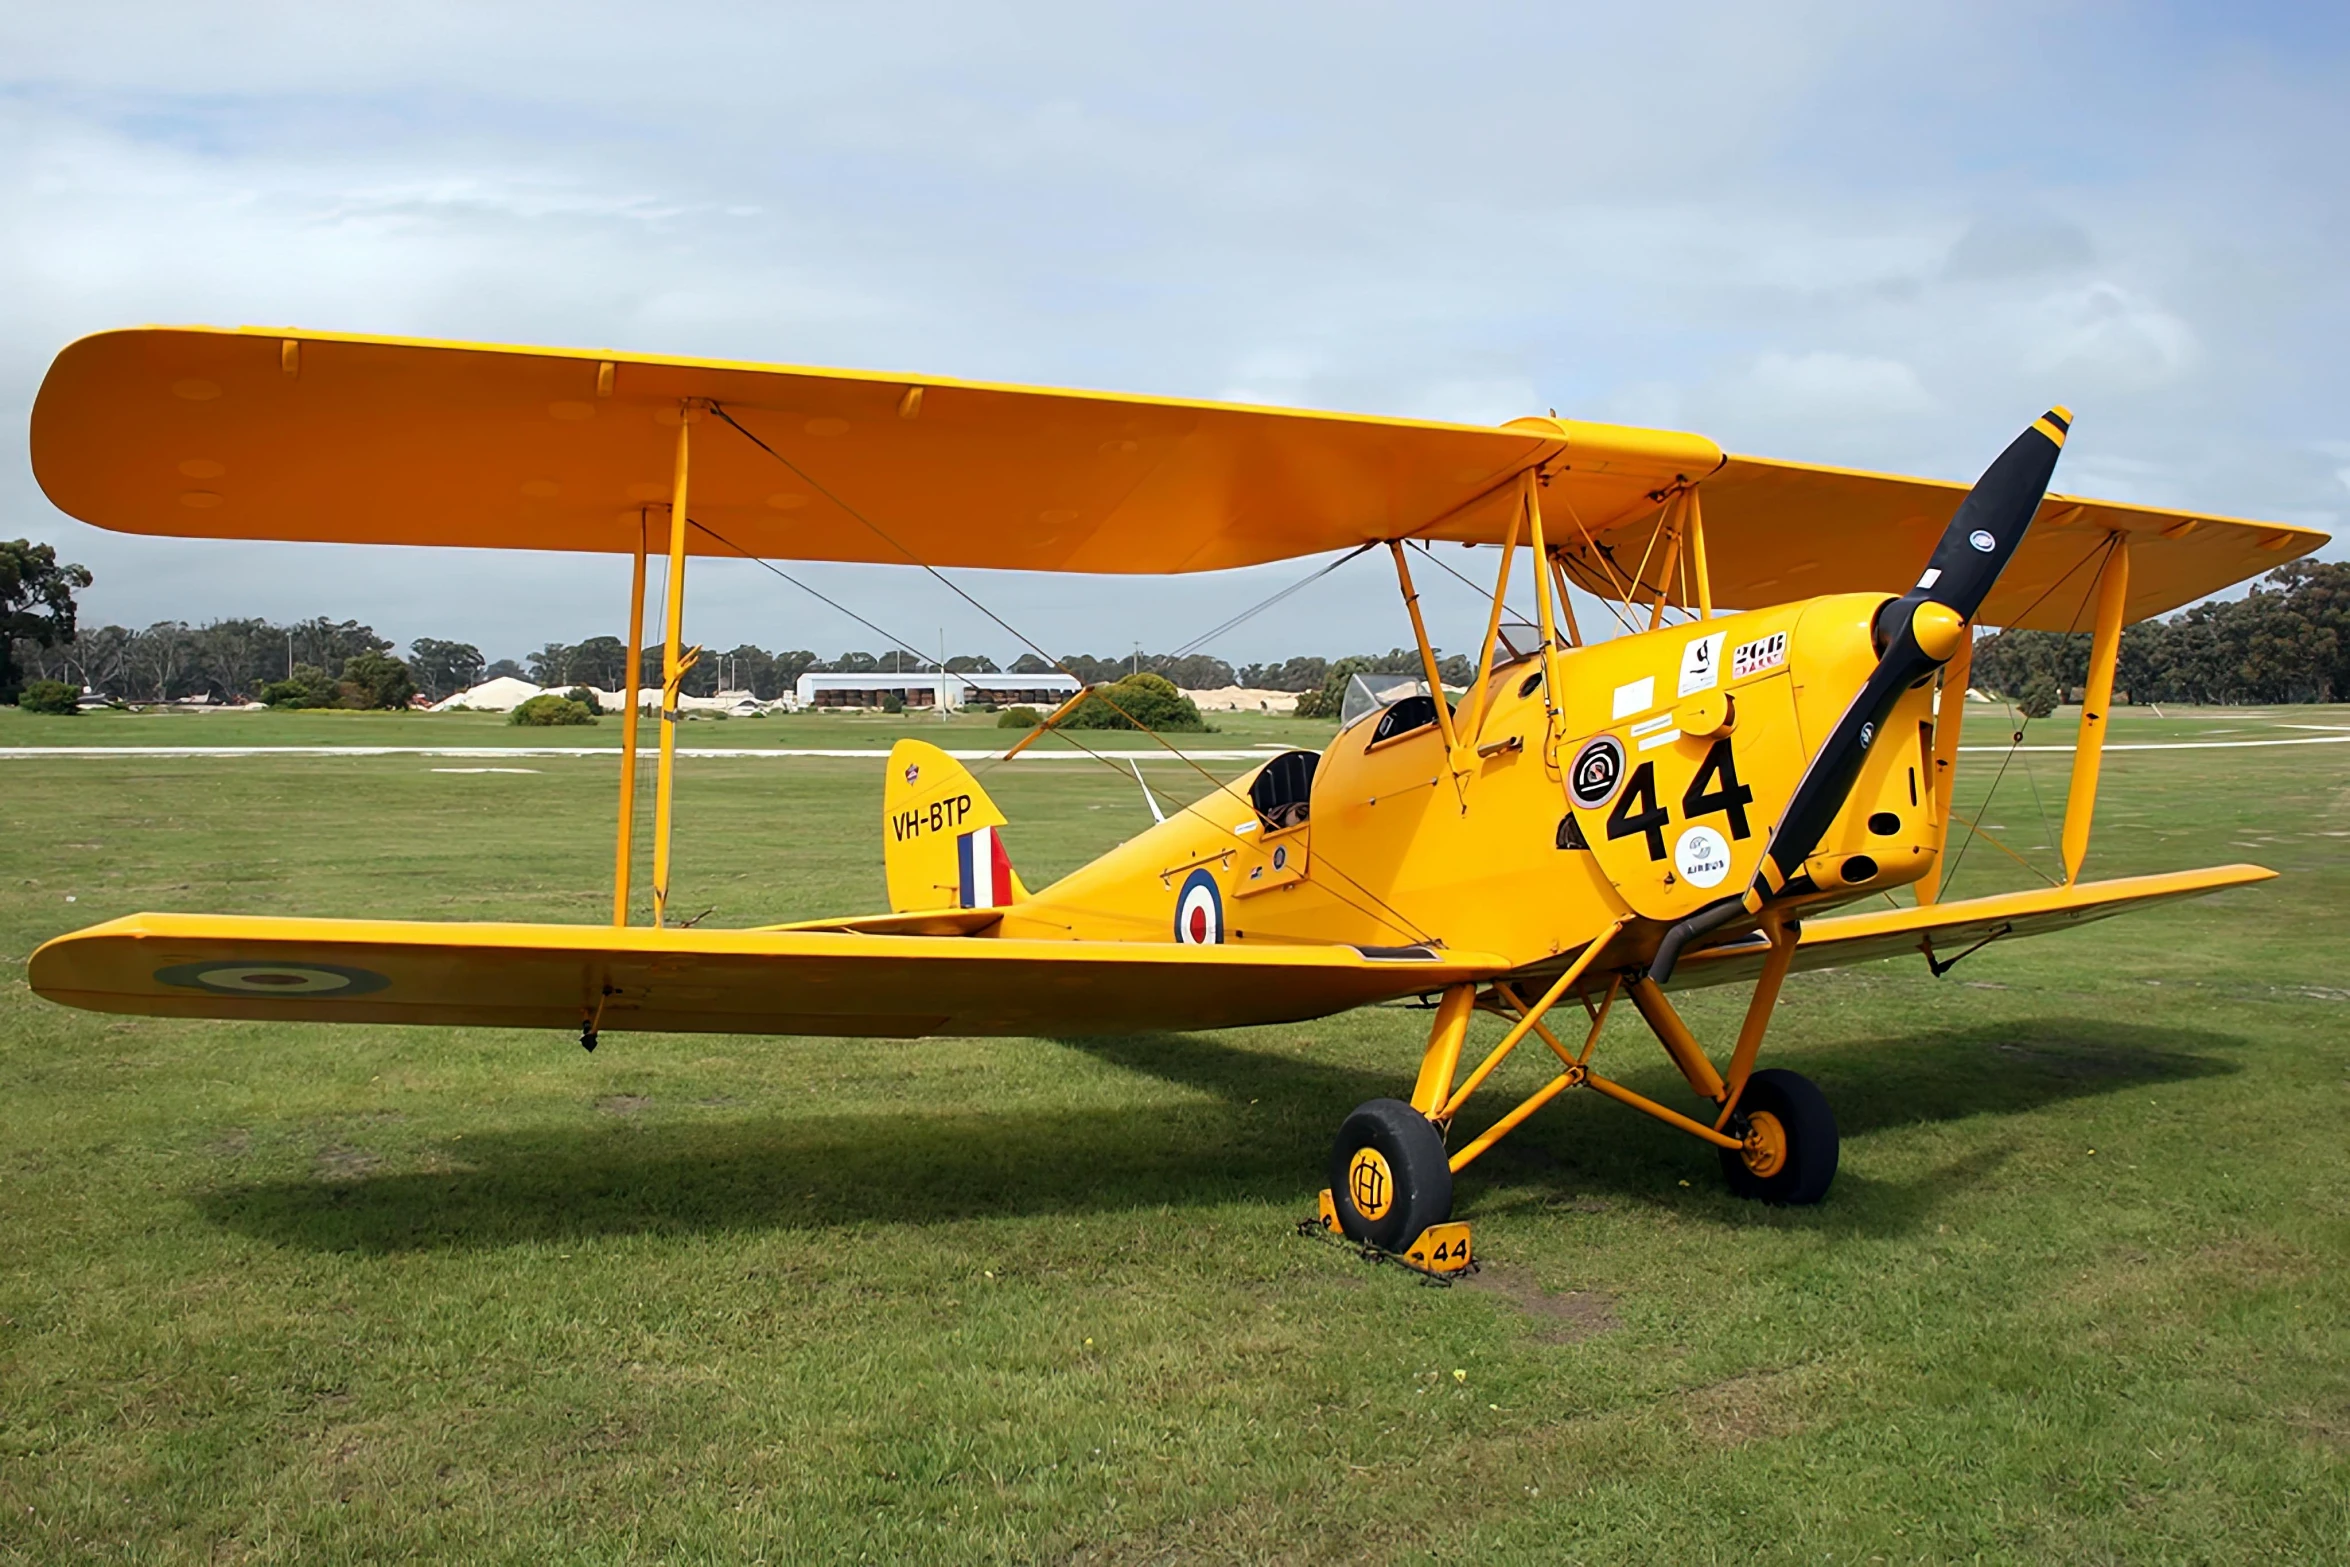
1916 635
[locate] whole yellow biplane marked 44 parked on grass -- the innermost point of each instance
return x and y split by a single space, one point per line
1771 737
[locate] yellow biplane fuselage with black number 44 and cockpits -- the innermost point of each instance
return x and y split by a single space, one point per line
1646 793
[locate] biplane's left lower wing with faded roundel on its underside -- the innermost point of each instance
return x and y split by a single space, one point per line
706 981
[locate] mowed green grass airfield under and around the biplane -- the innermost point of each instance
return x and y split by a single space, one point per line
304 1293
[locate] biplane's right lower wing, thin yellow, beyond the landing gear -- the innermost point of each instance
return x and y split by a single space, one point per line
1949 929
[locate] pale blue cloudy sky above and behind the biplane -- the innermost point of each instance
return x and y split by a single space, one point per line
1848 234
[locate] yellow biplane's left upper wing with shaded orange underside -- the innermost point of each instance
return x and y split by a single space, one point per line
260 433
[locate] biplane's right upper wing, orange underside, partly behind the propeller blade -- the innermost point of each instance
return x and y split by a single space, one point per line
1794 530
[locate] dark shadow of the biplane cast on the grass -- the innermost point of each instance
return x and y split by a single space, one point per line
1258 1136
